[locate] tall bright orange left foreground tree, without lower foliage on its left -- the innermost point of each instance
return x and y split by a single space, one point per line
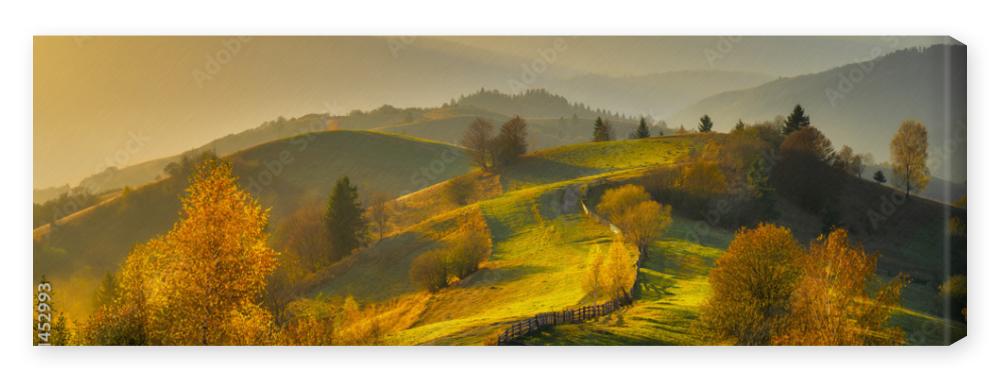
217 264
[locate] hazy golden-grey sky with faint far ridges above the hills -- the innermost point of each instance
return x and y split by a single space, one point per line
115 101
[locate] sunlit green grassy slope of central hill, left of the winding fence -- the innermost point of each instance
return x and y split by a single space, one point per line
542 244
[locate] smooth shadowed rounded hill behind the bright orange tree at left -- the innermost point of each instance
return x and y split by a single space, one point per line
283 175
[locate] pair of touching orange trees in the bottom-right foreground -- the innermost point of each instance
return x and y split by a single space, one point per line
767 290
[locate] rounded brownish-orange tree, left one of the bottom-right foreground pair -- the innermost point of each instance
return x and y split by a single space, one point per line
752 286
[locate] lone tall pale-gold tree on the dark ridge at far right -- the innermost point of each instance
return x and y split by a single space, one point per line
908 152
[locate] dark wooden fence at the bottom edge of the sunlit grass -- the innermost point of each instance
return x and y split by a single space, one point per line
569 316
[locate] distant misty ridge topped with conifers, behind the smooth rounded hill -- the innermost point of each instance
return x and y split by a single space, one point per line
550 118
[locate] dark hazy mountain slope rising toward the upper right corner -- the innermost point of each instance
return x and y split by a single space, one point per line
863 104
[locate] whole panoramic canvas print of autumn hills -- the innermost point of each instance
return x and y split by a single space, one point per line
499 190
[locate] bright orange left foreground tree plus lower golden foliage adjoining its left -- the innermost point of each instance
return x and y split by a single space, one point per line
201 282
